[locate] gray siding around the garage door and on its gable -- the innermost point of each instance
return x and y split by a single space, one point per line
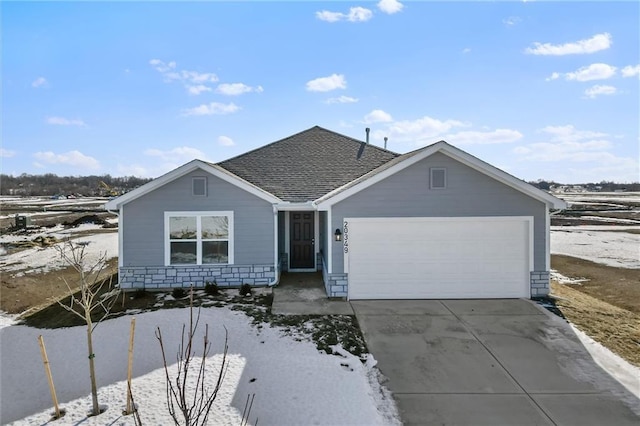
467 193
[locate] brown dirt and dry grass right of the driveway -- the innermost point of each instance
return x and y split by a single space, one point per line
607 307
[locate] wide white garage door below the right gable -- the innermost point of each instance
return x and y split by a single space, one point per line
439 258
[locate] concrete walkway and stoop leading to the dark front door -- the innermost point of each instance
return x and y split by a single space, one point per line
304 294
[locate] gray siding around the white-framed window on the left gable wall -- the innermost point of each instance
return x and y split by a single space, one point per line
143 220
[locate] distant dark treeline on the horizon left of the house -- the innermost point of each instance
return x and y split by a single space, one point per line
50 184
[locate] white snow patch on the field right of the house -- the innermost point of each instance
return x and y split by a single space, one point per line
598 244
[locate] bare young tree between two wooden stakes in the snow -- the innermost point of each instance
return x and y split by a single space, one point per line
91 301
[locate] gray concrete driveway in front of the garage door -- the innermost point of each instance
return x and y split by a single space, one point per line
489 362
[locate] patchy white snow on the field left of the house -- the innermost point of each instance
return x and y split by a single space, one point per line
45 259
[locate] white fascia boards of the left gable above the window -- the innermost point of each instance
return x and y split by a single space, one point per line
214 170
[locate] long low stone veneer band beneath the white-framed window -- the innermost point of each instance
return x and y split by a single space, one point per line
161 277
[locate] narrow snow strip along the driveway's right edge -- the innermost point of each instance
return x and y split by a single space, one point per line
621 370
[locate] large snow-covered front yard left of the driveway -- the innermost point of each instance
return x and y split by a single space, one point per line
293 383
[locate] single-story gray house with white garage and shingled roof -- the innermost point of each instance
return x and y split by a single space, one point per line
436 222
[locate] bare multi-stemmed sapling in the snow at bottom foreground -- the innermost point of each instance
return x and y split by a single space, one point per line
189 395
